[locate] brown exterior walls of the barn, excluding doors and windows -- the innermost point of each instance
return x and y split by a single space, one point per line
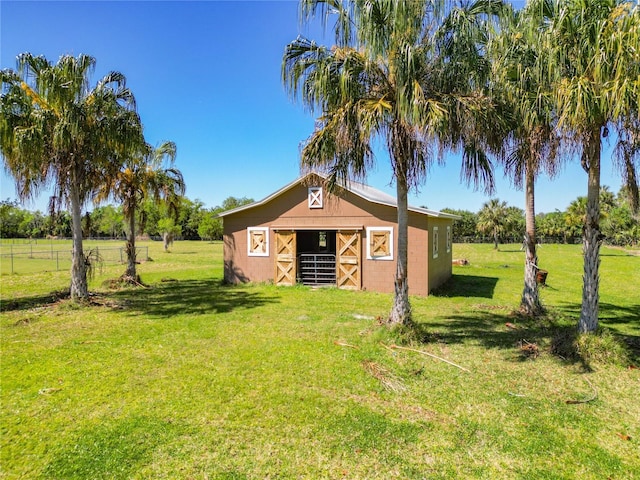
290 210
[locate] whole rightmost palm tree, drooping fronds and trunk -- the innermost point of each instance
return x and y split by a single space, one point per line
595 46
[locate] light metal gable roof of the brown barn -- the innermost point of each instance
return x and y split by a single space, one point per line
360 189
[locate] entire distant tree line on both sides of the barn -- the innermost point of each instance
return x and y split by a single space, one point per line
196 222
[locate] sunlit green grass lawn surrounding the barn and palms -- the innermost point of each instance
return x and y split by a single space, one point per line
192 379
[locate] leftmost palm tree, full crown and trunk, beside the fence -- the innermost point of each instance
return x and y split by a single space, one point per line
56 131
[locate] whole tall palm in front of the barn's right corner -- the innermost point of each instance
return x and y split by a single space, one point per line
387 77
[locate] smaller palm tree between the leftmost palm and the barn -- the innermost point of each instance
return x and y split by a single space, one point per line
148 175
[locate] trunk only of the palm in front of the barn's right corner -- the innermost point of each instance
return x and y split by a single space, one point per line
401 310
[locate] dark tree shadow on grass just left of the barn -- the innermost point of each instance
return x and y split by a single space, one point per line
182 297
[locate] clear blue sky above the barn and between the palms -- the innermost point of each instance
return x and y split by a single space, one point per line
206 75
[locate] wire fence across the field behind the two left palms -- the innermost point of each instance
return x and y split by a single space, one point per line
33 258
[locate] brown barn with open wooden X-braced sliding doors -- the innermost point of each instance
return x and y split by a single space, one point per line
303 234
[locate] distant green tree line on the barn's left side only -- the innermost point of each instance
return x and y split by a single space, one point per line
193 222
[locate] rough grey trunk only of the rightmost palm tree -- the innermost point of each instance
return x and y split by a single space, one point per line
591 238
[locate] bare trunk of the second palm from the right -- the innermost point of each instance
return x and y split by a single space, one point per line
530 302
